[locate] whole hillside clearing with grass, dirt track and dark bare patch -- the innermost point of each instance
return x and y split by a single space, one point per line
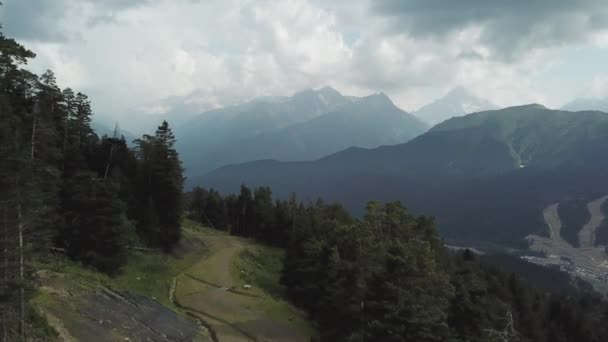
194 294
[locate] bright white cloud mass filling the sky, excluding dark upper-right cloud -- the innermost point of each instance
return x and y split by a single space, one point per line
148 55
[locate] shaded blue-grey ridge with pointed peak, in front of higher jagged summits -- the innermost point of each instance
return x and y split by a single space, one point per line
367 122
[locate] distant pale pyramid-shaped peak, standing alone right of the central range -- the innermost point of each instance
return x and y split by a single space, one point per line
457 102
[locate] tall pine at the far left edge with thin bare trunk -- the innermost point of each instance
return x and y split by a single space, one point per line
18 196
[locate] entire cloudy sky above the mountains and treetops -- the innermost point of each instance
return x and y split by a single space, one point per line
154 56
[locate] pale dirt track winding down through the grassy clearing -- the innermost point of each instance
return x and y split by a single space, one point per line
209 291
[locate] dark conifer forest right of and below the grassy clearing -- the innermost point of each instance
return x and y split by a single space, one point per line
388 276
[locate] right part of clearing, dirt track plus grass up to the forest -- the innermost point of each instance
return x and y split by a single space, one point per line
213 288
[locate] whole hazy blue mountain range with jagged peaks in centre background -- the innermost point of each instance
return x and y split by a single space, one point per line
306 126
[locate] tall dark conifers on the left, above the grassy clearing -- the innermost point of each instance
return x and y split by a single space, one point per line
64 189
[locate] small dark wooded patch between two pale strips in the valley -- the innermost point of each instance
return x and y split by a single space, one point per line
574 215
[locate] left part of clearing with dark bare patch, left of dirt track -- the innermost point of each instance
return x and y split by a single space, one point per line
82 304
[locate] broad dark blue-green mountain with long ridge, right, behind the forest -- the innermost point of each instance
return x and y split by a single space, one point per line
501 167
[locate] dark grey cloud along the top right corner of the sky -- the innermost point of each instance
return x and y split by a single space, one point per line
508 28
